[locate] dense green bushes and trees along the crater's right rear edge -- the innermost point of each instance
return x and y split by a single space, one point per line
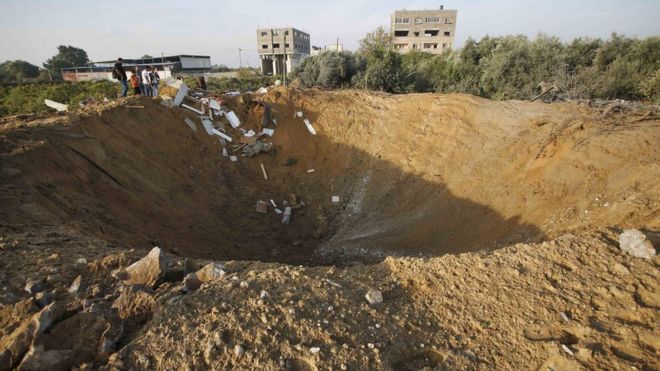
508 67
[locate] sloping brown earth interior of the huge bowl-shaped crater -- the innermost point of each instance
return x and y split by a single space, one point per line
415 174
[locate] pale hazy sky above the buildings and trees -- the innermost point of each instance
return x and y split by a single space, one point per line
32 29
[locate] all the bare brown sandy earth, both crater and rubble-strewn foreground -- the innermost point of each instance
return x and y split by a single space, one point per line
417 175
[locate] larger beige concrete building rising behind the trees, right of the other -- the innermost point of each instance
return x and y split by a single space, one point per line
425 30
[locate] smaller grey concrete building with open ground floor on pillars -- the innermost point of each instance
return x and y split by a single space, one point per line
281 48
